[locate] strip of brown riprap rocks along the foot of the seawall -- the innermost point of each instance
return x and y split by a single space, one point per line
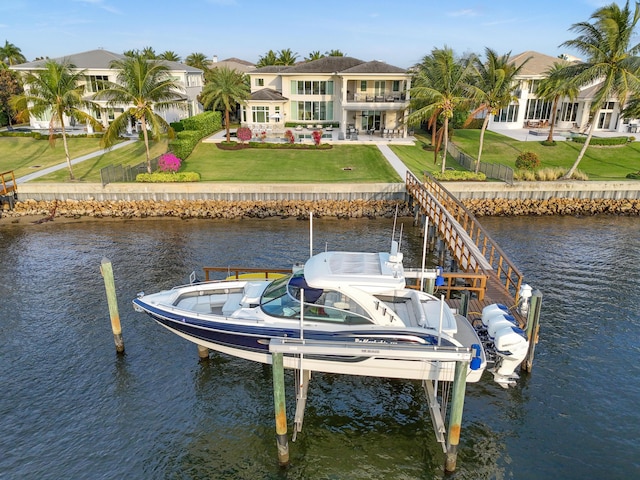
185 209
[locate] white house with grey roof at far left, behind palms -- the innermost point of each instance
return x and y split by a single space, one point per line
96 64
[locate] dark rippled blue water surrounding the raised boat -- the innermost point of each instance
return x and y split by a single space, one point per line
71 408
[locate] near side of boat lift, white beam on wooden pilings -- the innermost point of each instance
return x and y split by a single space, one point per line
461 356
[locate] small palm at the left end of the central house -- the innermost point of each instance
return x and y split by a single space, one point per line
225 88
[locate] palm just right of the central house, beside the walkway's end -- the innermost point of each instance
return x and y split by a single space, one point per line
443 86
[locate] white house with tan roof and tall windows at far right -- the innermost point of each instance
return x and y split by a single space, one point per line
530 111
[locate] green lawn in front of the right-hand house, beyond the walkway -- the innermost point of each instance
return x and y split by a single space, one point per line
599 163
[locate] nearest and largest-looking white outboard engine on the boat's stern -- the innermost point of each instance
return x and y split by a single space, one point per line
511 349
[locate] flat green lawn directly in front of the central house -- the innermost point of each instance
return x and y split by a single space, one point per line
340 164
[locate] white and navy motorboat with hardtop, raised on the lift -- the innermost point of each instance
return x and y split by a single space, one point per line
339 297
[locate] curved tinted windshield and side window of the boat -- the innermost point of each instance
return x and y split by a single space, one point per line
282 299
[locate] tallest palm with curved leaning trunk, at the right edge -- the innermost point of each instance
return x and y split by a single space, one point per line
611 59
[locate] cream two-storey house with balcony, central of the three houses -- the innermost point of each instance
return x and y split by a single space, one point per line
341 91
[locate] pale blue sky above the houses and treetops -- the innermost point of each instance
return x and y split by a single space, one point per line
399 32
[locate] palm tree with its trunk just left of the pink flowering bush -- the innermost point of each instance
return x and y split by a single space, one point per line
143 86
